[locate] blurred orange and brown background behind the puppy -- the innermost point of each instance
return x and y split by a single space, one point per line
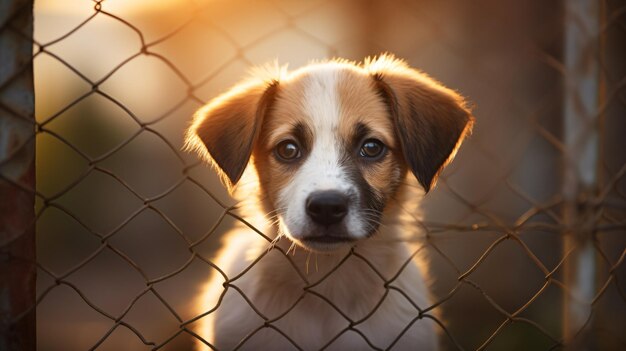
127 220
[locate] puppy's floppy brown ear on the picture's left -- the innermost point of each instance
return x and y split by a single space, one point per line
224 131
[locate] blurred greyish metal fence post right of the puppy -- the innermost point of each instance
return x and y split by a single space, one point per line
580 134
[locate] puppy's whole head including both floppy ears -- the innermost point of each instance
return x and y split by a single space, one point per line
332 143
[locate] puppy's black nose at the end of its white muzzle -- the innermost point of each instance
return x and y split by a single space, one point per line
327 207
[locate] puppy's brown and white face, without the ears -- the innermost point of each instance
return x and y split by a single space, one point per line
327 157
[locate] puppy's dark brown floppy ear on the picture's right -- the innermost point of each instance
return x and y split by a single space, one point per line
430 120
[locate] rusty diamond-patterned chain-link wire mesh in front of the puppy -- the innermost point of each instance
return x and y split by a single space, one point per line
608 195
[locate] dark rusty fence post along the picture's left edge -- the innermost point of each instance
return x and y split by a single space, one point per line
17 177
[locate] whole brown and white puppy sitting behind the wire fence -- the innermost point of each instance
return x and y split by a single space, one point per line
329 163
